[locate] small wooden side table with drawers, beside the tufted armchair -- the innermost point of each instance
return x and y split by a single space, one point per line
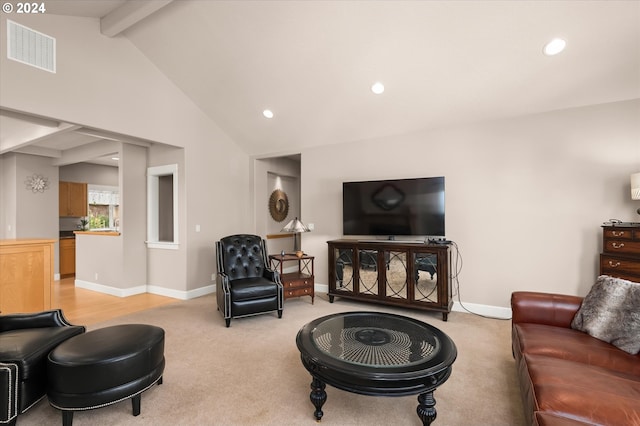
299 283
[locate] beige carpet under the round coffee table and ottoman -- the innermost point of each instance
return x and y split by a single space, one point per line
251 374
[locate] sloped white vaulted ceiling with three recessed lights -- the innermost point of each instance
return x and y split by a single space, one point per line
313 62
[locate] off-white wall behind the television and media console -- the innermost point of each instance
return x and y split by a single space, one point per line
525 198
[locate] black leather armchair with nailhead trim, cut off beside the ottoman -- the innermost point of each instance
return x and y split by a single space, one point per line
25 343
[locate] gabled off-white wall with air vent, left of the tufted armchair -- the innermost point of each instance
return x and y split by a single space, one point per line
106 83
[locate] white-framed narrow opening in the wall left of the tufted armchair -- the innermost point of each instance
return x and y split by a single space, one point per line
162 207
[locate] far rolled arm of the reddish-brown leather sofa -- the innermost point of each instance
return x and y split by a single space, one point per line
544 308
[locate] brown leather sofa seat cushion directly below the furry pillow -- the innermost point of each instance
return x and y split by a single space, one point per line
573 345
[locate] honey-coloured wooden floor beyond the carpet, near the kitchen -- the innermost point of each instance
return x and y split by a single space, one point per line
86 307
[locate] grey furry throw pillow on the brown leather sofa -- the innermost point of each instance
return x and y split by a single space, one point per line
611 313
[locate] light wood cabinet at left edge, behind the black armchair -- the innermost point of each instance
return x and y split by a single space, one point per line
26 275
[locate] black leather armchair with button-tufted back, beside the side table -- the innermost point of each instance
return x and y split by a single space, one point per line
246 285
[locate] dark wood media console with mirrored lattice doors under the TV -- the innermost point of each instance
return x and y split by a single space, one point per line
407 274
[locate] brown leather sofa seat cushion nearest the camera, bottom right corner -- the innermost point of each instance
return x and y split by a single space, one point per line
584 392
